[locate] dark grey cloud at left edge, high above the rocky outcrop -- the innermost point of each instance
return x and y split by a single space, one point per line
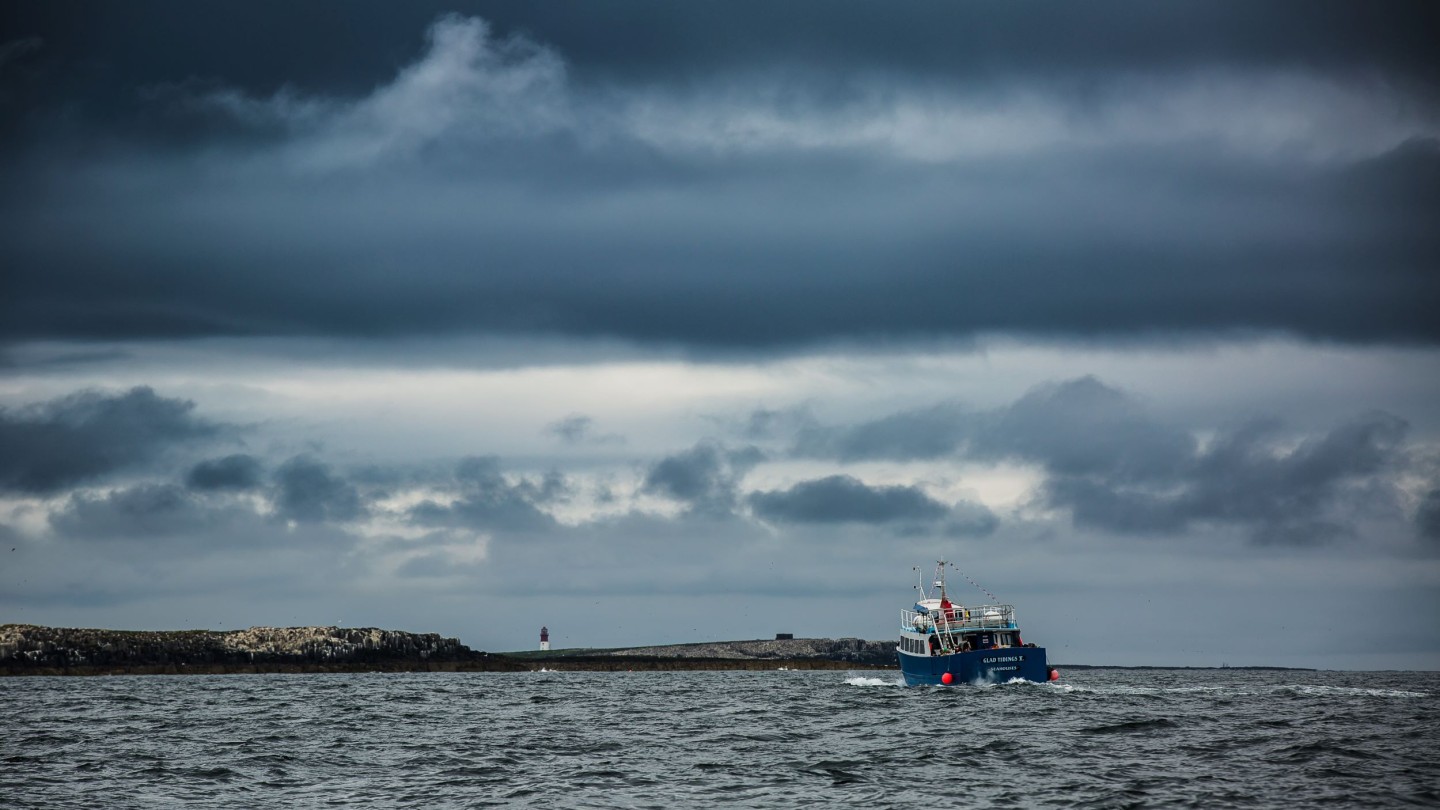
83 437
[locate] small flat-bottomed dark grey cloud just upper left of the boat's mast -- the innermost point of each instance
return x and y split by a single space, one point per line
845 499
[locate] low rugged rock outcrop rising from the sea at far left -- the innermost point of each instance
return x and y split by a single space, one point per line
32 648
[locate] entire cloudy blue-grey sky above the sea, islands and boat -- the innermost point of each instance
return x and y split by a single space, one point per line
689 322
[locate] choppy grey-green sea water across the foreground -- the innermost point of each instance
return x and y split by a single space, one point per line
1104 739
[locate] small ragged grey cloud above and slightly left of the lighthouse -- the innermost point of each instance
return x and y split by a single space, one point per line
489 501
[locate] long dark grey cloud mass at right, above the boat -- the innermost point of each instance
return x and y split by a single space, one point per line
1112 466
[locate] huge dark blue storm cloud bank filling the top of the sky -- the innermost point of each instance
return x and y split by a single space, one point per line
735 178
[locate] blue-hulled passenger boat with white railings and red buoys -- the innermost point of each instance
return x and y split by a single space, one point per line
945 644
